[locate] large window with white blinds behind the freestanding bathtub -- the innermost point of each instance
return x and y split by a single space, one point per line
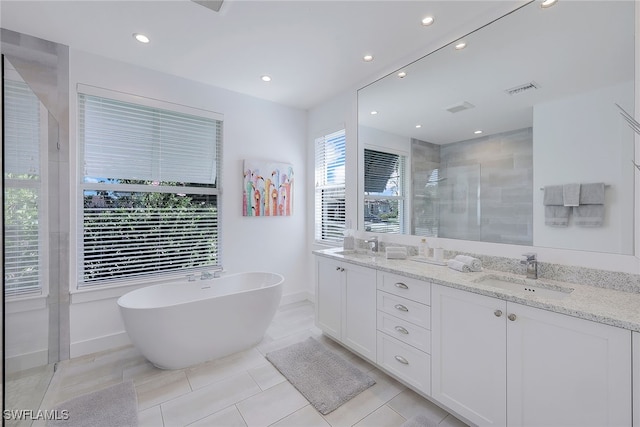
150 191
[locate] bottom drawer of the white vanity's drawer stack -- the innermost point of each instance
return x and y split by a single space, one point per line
405 362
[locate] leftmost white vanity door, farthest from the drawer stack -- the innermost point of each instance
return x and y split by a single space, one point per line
329 279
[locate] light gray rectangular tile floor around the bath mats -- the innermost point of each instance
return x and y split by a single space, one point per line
243 389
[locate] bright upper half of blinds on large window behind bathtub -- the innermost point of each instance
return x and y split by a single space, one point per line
128 141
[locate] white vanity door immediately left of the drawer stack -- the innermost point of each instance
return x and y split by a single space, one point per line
359 315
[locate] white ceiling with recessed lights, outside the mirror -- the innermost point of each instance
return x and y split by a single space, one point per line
312 49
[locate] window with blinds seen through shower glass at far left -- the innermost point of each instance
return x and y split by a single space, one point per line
23 207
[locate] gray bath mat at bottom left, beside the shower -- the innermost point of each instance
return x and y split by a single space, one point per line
115 406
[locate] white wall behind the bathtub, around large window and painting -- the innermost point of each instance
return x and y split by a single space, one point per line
253 129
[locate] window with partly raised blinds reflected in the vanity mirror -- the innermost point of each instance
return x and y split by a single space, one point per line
384 192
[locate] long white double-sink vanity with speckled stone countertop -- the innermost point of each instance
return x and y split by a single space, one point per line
492 355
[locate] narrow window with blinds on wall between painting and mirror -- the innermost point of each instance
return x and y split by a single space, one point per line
330 156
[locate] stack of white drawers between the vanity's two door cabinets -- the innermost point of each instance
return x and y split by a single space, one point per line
404 329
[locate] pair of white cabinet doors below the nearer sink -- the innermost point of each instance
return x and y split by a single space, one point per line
500 363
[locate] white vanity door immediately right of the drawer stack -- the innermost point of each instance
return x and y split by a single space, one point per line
468 356
